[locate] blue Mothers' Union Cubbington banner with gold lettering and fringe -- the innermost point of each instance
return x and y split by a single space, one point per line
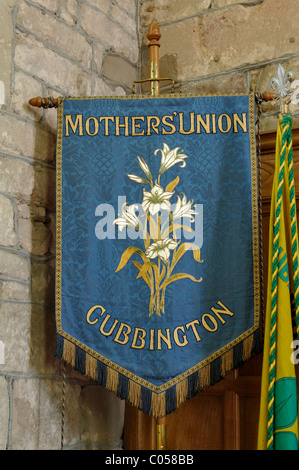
157 284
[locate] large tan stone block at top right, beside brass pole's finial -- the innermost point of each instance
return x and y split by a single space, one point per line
233 38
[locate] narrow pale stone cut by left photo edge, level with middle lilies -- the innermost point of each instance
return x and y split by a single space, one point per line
8 235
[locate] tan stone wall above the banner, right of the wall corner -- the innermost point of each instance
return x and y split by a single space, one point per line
225 46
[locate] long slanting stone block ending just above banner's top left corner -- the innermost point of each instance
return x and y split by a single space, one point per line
55 70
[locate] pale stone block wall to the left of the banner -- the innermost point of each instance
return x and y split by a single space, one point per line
58 48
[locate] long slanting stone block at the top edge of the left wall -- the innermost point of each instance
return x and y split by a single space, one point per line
56 33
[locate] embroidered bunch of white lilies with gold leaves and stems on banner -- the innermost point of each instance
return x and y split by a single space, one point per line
157 221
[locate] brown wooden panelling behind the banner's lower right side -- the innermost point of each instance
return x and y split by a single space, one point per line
224 416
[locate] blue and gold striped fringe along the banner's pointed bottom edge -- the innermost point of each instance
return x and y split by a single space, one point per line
165 402
